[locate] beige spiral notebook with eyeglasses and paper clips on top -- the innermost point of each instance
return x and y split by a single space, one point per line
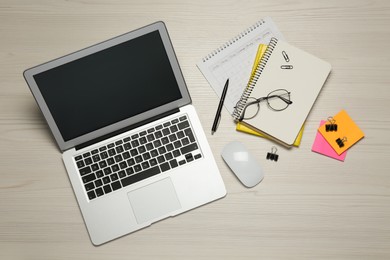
301 85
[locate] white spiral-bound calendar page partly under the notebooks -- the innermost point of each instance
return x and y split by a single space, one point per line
234 60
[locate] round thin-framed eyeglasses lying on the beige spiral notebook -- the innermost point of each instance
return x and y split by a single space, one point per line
277 100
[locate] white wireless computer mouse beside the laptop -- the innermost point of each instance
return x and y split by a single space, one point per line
243 164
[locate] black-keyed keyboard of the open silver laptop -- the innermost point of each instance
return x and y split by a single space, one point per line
137 157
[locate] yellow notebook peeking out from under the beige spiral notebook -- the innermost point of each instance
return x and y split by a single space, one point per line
242 127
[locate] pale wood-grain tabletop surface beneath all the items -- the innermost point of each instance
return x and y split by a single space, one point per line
307 207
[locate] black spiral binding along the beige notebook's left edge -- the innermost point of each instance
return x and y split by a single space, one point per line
252 82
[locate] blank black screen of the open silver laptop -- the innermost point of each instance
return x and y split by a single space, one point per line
109 86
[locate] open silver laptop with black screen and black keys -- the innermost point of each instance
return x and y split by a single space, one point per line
131 141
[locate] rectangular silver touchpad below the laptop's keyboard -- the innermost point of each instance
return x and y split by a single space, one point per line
154 200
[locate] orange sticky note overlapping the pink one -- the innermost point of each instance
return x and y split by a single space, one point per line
347 135
